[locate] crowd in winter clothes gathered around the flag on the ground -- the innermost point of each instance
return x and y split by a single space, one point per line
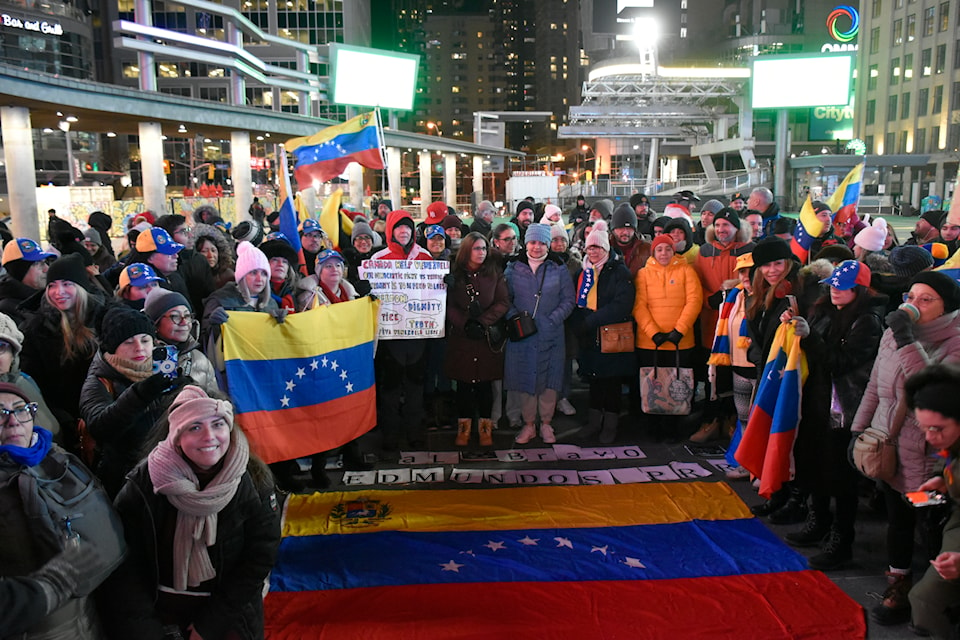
110 362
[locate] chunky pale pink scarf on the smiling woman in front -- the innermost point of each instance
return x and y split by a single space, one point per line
197 510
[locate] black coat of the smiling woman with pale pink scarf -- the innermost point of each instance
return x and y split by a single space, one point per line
248 535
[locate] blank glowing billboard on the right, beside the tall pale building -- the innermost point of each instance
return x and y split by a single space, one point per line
782 82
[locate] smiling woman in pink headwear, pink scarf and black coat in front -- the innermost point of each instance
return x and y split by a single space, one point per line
202 525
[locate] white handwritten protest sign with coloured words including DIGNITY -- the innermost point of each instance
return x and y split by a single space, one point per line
413 297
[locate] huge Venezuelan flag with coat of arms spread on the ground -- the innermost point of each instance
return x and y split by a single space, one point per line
607 561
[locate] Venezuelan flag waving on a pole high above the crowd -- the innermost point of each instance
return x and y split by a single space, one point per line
326 154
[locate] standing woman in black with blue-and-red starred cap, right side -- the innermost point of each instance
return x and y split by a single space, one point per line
840 341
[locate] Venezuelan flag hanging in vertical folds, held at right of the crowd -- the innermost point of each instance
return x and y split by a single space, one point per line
766 447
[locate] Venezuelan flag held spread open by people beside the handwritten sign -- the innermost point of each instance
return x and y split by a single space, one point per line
306 385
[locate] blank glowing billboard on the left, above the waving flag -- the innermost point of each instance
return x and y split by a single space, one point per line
373 78
